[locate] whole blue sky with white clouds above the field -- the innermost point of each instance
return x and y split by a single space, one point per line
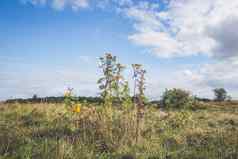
47 46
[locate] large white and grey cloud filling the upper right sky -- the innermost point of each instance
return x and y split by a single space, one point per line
186 27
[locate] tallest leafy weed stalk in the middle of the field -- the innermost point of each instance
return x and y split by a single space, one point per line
113 88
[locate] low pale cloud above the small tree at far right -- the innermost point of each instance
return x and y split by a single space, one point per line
209 76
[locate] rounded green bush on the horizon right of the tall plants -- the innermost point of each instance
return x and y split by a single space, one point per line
176 98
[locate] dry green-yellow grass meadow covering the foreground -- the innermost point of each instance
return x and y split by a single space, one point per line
42 131
